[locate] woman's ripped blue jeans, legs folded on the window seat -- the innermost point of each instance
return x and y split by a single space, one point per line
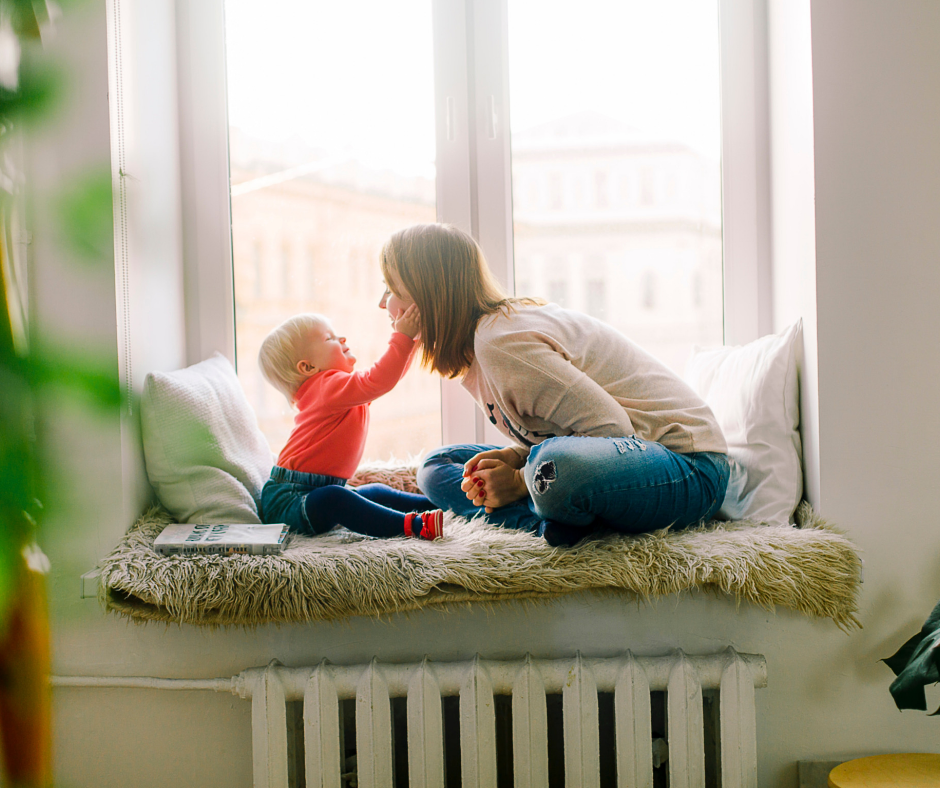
624 484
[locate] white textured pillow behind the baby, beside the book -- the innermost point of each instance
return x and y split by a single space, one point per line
206 457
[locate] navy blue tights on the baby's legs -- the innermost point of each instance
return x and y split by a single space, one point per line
373 509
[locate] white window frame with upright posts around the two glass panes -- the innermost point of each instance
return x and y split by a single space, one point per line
474 186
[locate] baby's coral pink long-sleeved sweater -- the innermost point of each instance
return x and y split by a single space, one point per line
331 426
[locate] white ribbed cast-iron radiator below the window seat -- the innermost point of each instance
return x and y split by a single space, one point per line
528 681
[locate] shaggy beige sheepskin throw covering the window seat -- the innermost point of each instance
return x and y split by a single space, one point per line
812 569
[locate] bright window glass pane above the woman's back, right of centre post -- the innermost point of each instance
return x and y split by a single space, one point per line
615 165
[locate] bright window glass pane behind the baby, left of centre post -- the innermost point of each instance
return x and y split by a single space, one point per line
331 112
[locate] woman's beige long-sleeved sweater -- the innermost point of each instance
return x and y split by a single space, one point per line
541 372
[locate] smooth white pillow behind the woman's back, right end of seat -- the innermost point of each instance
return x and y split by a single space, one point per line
753 391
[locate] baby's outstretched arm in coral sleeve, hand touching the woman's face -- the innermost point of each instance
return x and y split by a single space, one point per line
357 388
